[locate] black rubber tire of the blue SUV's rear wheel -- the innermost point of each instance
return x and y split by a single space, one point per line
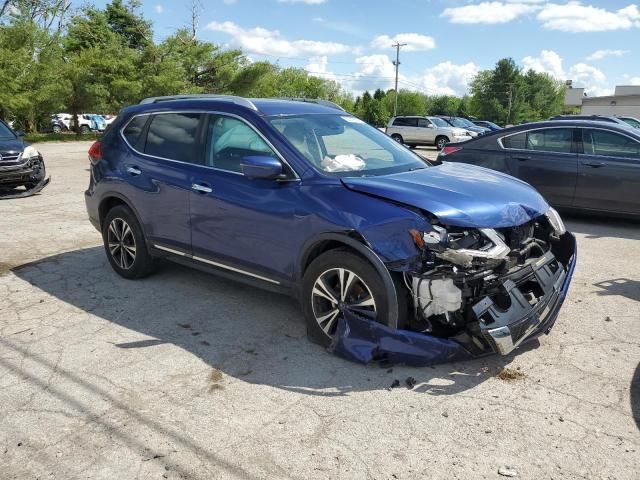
142 263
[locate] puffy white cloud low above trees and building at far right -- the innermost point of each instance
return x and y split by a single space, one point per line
582 74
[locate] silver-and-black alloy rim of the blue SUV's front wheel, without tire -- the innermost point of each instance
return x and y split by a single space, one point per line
339 290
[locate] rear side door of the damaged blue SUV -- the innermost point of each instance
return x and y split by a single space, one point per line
158 176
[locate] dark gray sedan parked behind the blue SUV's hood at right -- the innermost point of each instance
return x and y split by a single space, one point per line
575 164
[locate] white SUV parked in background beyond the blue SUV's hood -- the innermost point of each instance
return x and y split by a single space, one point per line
414 130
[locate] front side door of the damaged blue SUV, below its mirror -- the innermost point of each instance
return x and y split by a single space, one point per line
238 223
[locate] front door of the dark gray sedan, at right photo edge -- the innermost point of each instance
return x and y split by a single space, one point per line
608 172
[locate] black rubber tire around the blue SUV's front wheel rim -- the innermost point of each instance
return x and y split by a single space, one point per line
312 303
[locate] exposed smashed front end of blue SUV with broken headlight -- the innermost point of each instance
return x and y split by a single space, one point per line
488 289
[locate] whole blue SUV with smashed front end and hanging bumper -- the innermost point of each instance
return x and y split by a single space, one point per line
301 197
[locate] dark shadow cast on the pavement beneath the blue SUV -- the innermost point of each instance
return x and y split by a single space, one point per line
246 333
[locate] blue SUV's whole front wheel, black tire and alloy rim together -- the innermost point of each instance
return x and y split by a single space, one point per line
336 282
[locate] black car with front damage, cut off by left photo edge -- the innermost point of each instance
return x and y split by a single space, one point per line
21 165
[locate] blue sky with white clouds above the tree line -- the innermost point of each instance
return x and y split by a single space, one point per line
595 43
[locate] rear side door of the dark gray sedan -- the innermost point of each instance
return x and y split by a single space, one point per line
545 158
